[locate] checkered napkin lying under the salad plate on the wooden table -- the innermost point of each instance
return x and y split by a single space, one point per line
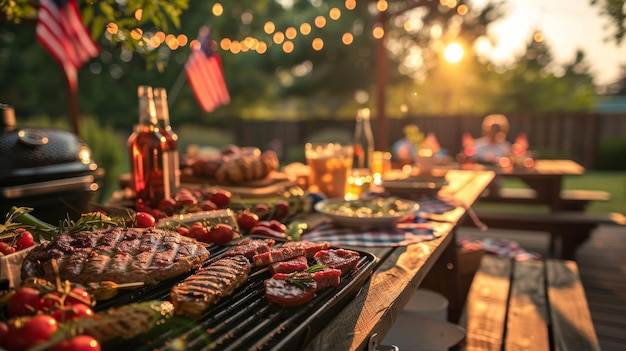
405 233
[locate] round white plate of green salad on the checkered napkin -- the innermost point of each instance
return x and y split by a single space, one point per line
359 219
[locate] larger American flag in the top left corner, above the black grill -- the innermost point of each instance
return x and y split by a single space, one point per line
61 32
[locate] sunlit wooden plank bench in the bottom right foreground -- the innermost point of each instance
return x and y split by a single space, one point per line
527 305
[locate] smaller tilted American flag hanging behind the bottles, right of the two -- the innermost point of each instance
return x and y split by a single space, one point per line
204 73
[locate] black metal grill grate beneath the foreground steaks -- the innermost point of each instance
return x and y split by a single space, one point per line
245 320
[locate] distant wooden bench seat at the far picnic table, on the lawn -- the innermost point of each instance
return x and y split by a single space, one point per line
572 199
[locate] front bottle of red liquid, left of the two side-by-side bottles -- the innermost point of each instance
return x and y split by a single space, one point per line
146 145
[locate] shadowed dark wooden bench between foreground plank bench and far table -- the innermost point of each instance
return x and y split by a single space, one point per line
571 228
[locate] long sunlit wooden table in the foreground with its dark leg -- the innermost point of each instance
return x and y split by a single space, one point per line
400 271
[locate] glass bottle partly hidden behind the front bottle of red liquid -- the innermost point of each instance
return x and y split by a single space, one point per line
171 158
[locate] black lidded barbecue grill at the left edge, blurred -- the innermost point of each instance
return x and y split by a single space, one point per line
47 169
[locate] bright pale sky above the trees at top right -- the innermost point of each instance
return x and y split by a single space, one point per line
567 25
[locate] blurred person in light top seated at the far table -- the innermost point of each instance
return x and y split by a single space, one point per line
493 144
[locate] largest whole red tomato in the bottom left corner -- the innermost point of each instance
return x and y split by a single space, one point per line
33 331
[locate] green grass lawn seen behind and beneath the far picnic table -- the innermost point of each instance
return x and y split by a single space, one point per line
611 182
